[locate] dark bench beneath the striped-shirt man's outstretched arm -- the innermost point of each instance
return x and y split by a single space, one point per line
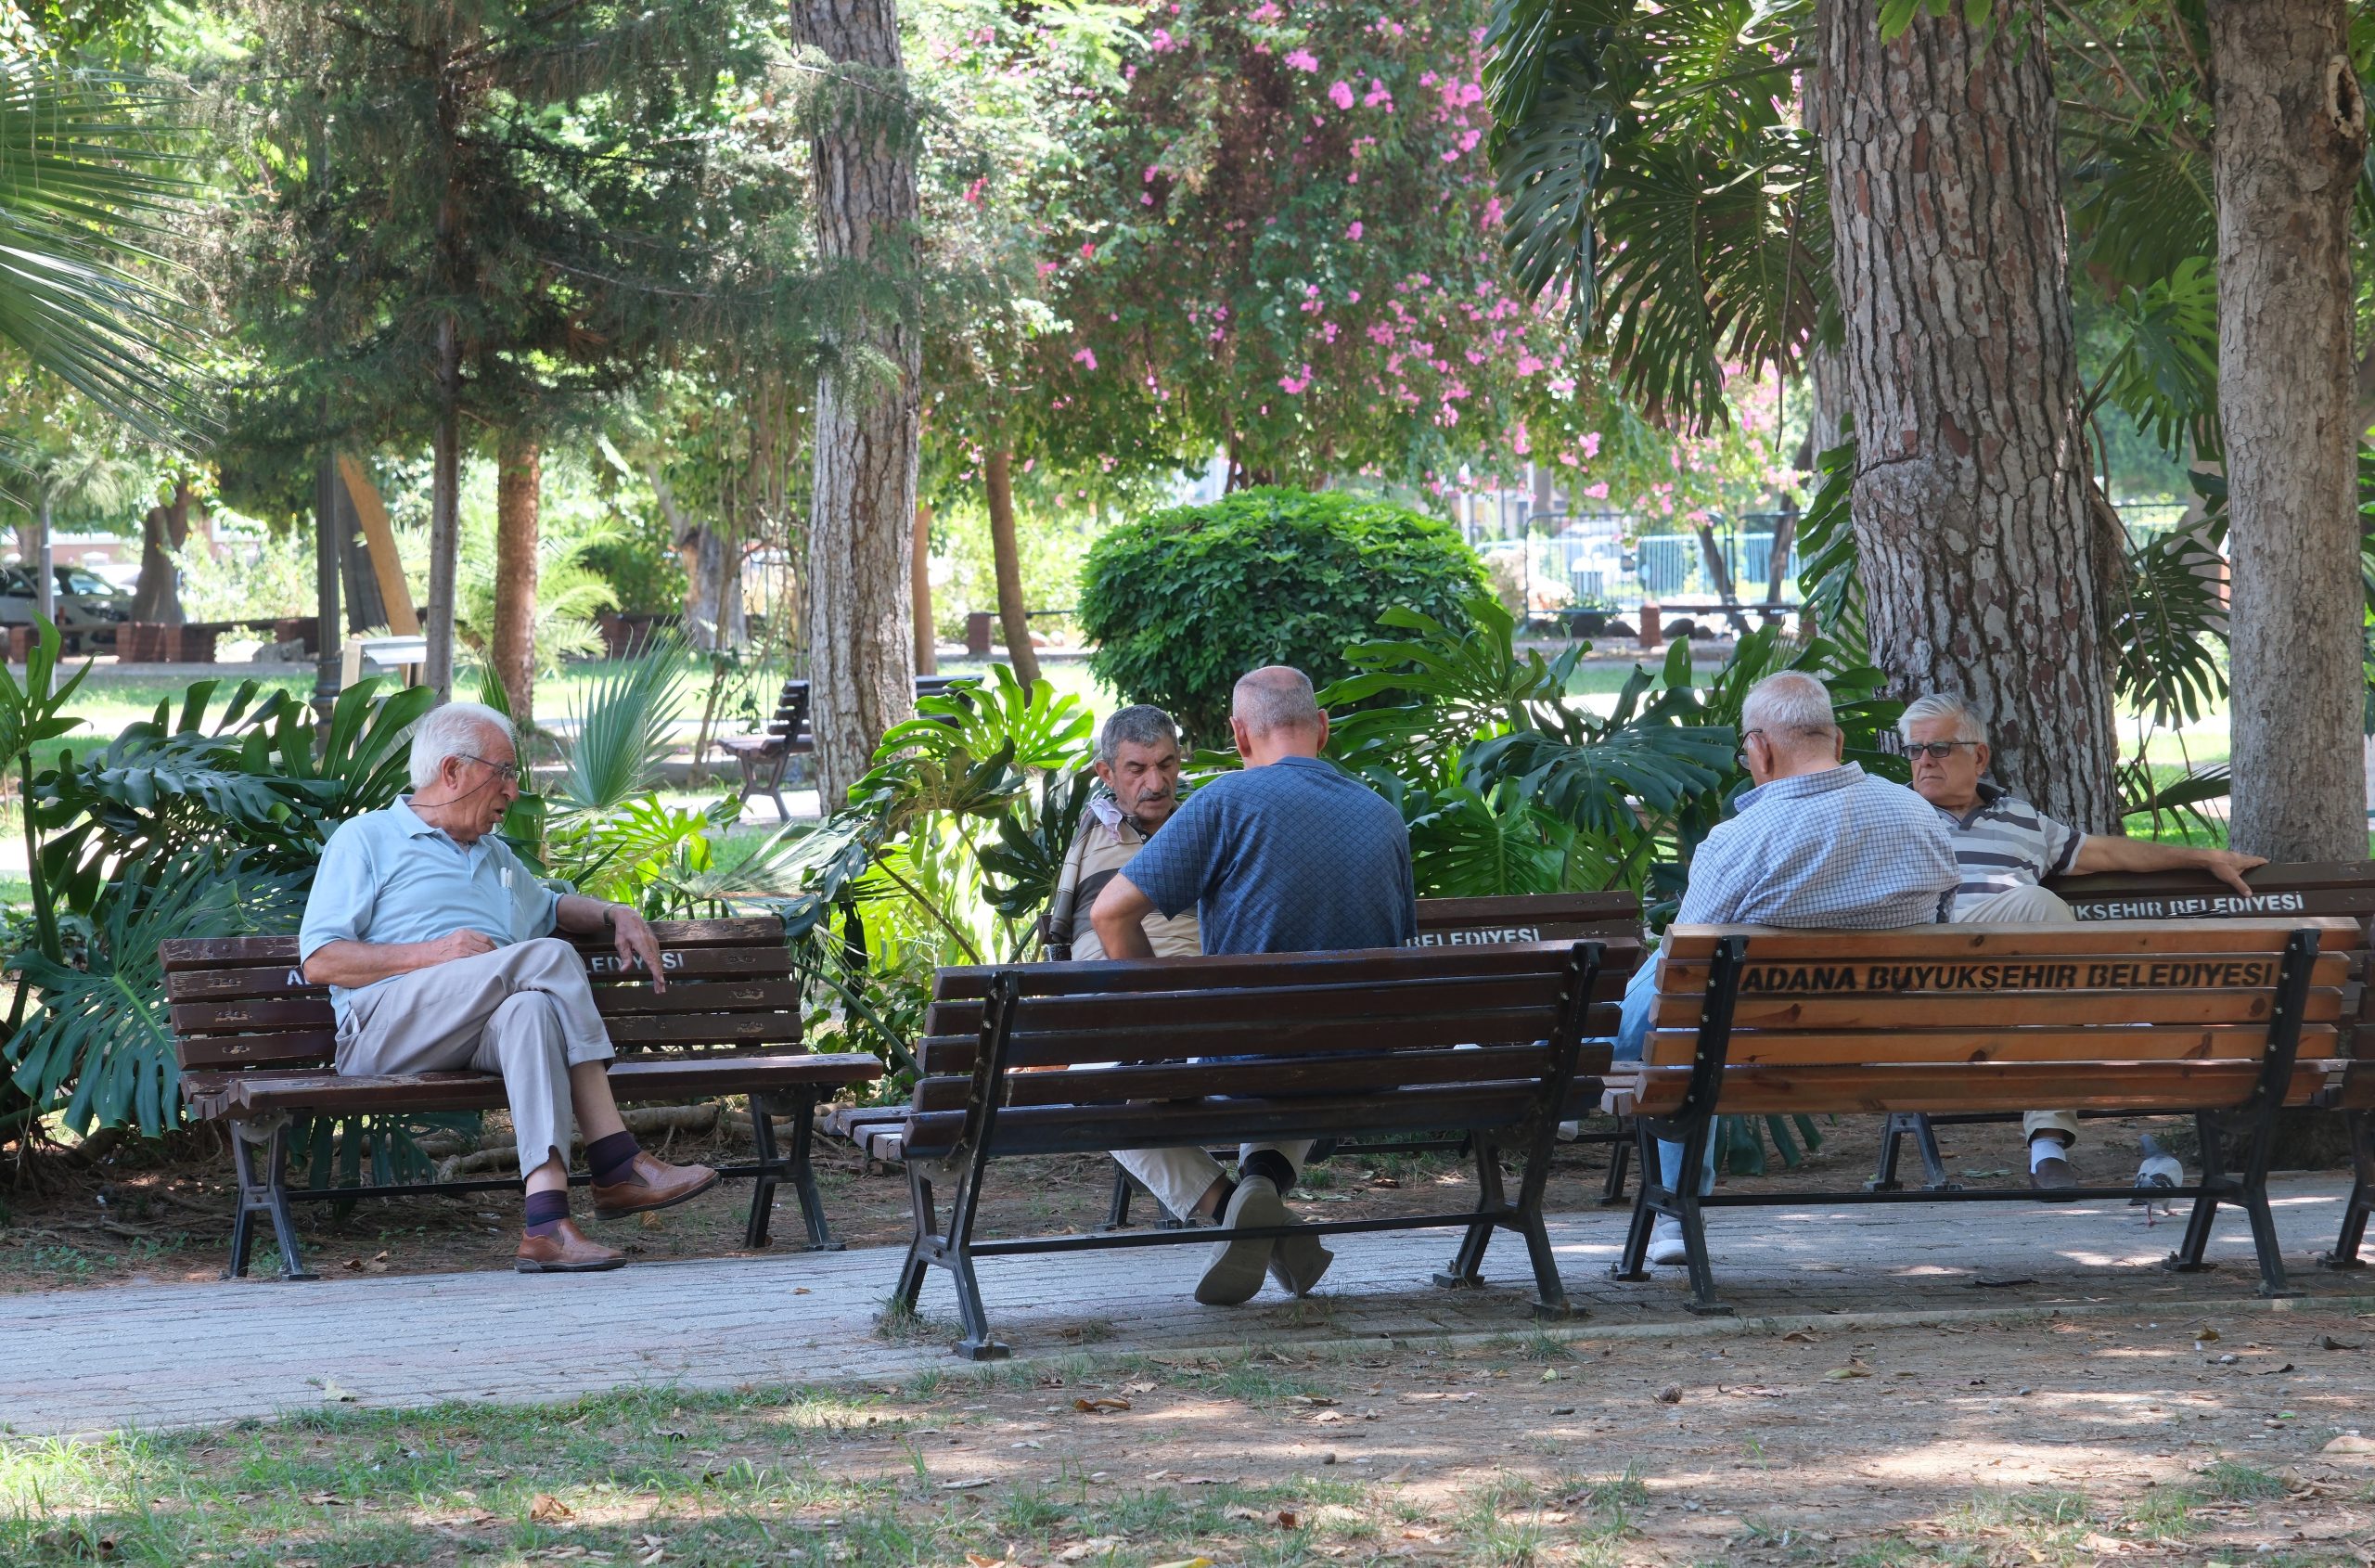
2312 887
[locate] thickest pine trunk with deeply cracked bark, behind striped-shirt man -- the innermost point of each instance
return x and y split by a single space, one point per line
1970 493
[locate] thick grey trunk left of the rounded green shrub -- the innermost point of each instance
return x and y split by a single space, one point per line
866 436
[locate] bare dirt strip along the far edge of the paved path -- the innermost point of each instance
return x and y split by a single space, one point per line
165 1215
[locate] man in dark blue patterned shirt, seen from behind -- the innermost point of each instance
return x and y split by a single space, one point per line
1286 856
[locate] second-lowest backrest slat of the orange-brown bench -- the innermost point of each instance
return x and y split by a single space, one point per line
1946 1047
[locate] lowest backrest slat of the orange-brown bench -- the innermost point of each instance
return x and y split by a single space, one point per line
1980 1087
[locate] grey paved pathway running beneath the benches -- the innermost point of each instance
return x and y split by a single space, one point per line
186 1355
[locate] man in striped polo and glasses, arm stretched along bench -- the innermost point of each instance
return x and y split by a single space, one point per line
2006 849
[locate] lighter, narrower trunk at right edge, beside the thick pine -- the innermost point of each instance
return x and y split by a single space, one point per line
2288 148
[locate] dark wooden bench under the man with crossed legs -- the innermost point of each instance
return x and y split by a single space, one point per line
255 1047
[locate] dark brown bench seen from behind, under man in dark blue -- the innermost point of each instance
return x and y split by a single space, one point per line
1098 1056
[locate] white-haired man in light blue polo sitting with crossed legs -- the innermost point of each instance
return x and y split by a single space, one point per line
441 954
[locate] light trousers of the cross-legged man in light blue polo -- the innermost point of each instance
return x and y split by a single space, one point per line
524 1013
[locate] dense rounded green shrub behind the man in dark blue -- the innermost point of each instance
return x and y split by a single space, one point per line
1189 600
